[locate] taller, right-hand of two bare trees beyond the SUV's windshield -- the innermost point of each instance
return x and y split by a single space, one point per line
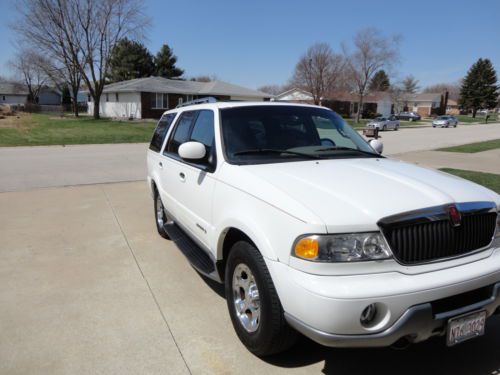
371 52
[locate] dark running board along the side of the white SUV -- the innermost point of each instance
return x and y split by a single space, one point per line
199 258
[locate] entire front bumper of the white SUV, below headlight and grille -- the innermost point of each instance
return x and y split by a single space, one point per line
328 308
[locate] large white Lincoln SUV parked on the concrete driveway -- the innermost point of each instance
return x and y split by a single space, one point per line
313 231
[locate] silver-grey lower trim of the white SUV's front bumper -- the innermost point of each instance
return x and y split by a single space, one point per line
418 323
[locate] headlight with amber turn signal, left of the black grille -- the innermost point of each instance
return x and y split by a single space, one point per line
350 247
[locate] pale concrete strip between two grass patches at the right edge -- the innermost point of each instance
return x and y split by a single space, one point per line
487 161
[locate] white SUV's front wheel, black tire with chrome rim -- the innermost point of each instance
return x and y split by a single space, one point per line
263 330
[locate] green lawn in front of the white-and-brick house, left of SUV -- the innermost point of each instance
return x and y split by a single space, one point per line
52 129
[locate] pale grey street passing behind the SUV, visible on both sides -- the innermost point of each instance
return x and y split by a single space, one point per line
25 168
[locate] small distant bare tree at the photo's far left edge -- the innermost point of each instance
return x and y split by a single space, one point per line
26 65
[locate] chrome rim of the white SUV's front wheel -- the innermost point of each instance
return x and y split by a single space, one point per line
246 298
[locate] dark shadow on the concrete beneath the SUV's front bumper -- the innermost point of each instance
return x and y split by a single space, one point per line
479 356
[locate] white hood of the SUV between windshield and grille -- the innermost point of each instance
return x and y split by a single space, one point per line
353 194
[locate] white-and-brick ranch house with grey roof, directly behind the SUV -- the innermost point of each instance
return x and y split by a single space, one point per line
150 97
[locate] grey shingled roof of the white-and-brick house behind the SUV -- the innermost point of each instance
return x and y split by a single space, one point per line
164 85
